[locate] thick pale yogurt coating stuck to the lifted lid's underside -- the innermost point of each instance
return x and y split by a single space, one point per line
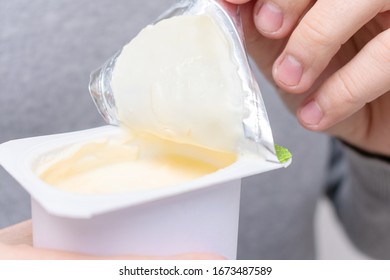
178 80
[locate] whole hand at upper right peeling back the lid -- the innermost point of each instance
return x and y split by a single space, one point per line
330 60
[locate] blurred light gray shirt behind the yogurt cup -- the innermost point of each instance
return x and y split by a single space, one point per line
47 51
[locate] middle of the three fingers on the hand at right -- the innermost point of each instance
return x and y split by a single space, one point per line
317 38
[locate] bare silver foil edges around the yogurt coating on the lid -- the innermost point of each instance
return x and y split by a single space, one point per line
256 124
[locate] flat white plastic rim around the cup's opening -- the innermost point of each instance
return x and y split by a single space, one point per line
17 157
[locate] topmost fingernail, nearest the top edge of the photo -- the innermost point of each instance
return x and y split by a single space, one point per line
269 19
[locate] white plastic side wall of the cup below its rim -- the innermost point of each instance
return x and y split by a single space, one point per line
199 221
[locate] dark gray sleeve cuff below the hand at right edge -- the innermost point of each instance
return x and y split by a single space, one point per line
362 199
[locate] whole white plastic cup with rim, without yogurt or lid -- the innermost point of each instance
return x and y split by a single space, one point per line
198 216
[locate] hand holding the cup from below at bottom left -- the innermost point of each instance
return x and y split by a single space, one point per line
16 243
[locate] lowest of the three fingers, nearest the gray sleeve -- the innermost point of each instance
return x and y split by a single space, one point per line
363 79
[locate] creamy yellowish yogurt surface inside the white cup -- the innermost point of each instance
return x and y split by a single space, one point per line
130 164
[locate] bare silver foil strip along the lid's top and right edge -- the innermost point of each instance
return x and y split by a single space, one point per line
256 124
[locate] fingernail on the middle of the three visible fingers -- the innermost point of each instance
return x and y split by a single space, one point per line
290 71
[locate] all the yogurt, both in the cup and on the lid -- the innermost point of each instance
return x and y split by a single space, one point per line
178 94
